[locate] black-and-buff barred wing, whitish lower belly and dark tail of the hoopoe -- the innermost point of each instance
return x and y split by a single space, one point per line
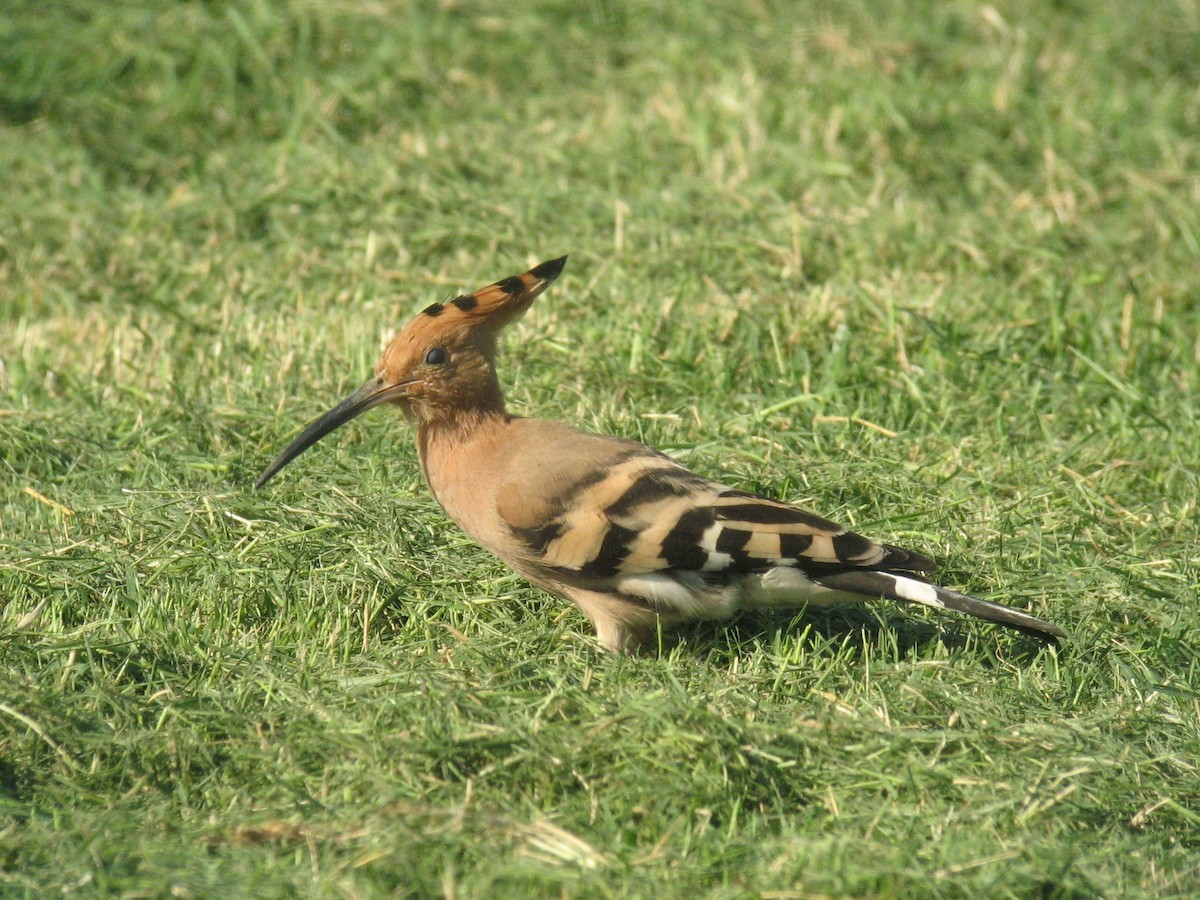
653 532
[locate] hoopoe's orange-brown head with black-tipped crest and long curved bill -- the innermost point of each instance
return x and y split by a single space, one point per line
442 365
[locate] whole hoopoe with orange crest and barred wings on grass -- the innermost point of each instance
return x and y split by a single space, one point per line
638 542
